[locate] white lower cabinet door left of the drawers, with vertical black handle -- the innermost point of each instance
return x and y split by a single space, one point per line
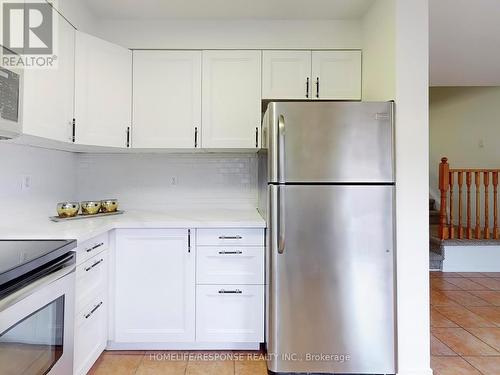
154 286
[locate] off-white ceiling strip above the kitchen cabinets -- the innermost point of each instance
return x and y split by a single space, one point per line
233 9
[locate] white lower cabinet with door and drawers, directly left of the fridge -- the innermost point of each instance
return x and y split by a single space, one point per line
187 289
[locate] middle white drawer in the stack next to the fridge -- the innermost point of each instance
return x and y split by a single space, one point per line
230 265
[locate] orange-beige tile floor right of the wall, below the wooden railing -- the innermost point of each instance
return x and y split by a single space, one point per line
465 323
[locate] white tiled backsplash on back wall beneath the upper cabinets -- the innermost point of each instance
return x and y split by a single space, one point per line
144 181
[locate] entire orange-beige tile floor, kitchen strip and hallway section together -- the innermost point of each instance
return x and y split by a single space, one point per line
465 337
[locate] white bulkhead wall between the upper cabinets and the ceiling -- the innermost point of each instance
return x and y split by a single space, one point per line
213 34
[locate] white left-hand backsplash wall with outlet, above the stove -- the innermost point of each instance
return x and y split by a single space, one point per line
53 179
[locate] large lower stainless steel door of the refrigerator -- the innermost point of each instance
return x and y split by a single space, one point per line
331 285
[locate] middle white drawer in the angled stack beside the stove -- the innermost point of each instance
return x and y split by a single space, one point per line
91 279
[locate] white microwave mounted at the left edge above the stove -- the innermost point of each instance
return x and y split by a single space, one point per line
11 87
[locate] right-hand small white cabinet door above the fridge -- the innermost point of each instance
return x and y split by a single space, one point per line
336 75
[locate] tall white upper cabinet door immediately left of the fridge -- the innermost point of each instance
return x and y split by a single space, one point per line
231 113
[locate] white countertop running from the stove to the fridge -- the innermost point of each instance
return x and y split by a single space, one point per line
84 229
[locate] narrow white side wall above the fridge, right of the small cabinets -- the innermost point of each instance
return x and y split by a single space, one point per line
379 51
